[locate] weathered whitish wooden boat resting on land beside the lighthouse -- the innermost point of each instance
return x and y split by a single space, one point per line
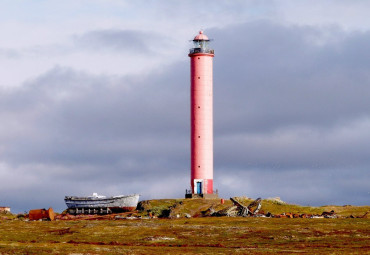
97 204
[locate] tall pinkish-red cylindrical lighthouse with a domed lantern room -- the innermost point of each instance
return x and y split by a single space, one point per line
201 108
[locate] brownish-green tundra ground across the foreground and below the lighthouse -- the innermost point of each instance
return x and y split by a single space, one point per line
173 232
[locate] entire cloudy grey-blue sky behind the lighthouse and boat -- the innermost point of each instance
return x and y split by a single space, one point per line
94 97
